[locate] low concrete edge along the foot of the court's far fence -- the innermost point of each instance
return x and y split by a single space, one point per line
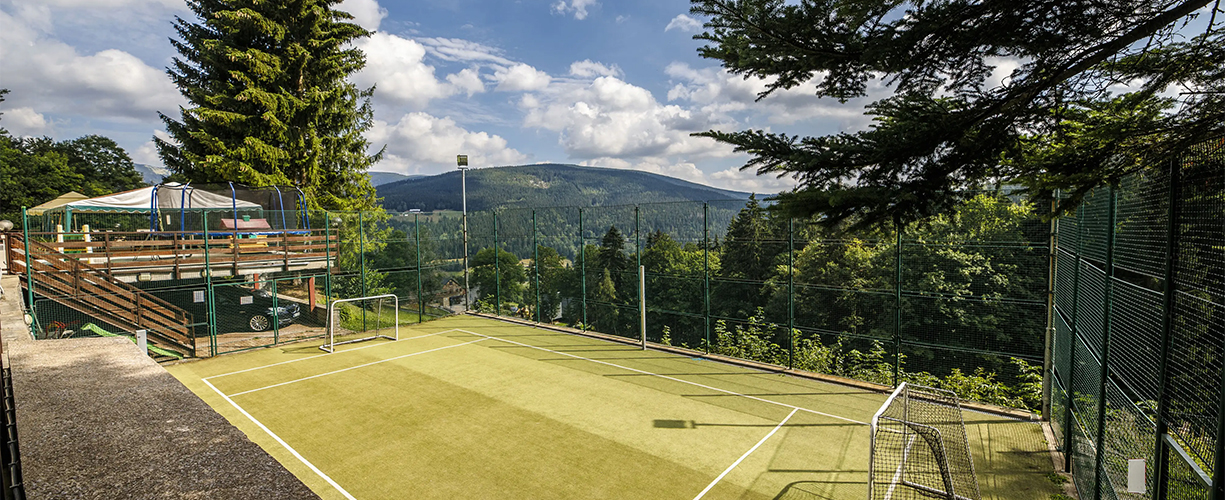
832 379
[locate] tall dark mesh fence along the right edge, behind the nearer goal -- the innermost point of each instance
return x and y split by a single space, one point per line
1140 334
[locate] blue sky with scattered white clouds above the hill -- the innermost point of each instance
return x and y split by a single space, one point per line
594 83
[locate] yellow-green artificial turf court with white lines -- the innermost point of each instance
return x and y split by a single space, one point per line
469 409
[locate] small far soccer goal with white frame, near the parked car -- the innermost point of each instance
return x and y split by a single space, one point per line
362 319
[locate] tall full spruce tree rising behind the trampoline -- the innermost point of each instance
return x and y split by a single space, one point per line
269 100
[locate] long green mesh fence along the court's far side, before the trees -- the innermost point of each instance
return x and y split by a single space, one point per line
957 301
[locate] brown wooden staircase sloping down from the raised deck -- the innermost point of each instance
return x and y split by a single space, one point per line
94 292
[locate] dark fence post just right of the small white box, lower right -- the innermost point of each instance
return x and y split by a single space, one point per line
1162 459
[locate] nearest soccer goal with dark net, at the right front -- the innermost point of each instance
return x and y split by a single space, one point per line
921 449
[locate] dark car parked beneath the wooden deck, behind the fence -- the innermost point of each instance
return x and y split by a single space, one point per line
241 309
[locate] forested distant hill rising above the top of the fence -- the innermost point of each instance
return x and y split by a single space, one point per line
546 186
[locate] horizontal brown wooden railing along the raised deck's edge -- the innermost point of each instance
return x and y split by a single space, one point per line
128 252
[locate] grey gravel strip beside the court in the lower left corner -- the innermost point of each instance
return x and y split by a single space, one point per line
99 420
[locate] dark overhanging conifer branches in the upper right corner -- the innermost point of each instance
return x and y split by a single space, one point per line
949 126
